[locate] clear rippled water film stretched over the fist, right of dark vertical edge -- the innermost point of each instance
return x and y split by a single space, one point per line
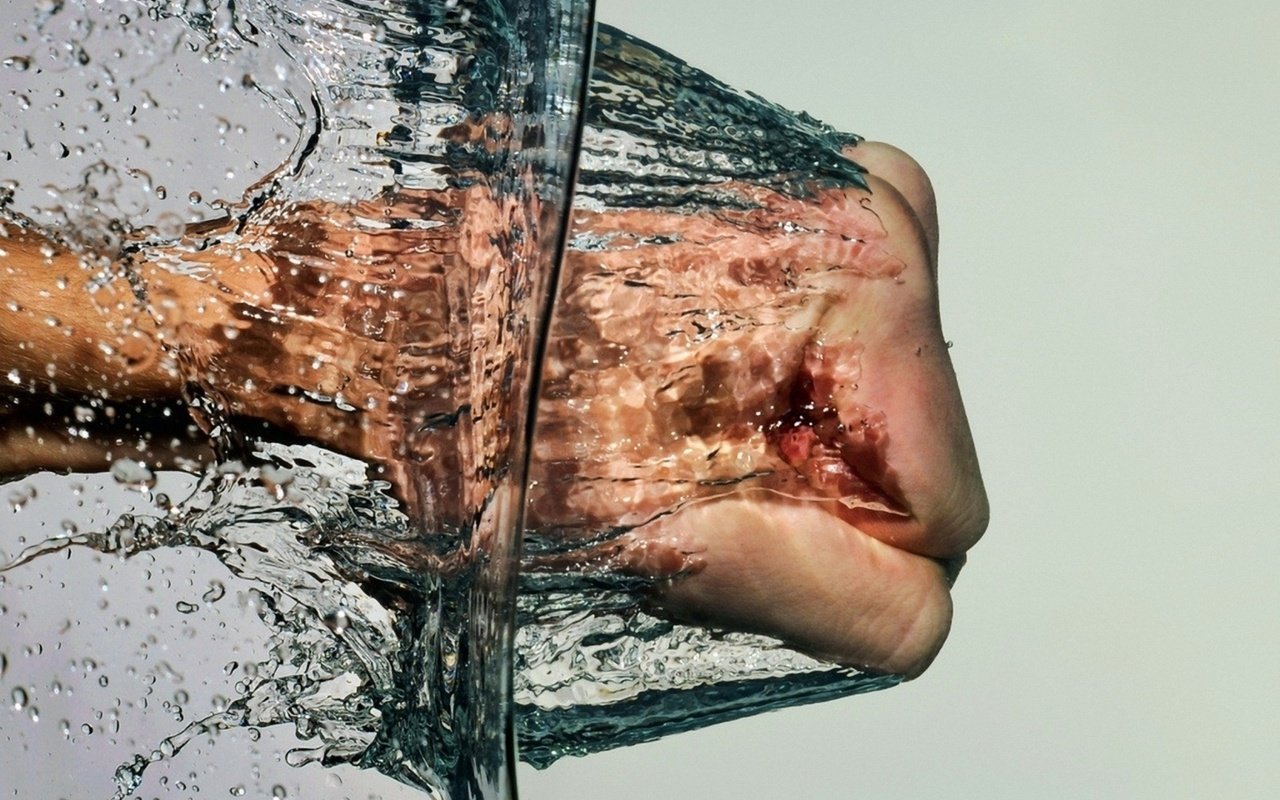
701 367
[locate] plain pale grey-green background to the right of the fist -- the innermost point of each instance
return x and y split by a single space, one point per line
1108 180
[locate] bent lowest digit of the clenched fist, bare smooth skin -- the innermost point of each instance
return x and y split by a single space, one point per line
792 570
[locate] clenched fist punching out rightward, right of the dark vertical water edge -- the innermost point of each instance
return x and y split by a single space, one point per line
806 472
